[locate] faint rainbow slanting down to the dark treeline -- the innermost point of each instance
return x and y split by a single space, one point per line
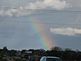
44 38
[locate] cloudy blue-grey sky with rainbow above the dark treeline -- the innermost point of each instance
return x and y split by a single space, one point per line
35 24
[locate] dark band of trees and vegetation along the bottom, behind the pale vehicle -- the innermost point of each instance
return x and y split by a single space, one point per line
29 55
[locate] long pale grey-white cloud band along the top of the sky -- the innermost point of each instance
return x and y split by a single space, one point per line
32 6
